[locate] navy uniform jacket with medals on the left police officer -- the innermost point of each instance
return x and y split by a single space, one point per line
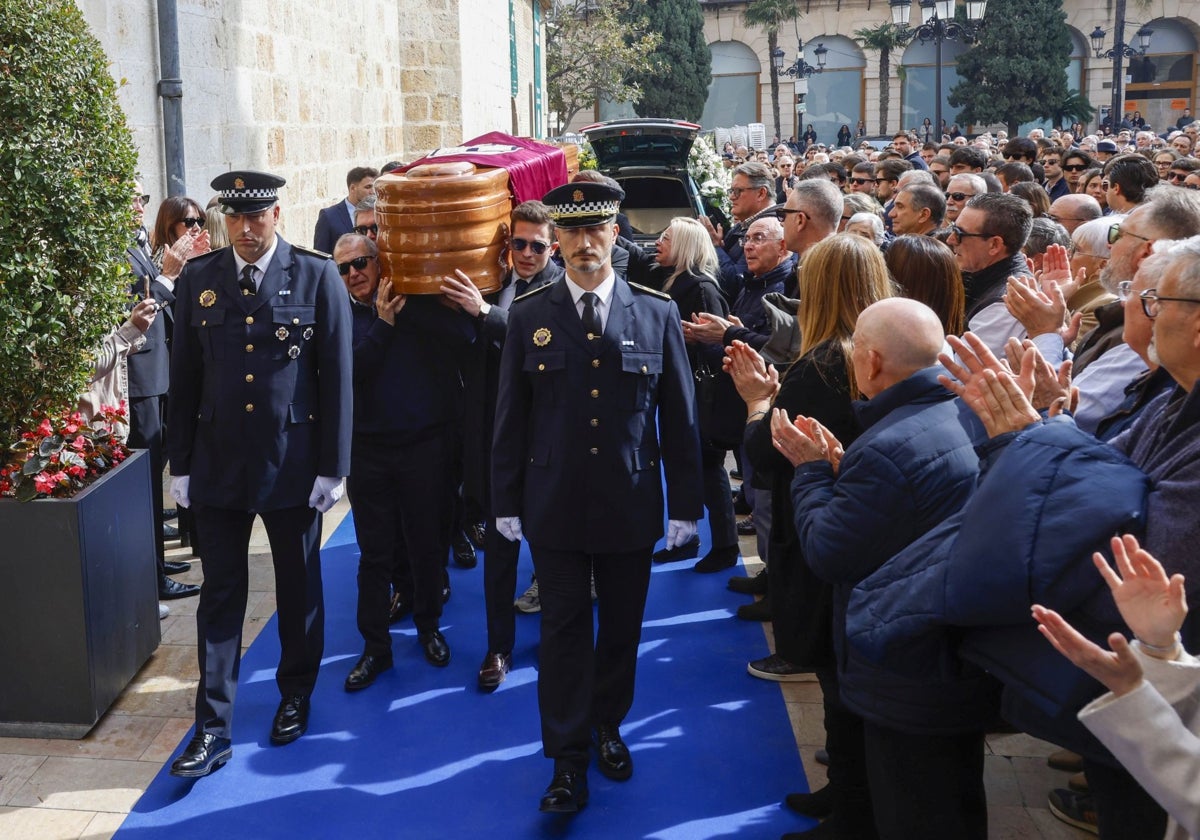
261 397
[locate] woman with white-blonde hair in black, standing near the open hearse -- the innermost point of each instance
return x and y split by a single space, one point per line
688 257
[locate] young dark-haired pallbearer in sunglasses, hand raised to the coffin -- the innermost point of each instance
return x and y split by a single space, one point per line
531 248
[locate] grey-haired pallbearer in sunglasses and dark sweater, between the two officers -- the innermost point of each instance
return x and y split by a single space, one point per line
407 412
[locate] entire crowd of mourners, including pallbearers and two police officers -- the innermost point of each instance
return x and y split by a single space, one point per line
949 374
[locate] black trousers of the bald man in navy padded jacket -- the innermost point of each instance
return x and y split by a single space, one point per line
927 787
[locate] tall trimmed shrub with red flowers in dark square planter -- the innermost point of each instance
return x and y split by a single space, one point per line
79 613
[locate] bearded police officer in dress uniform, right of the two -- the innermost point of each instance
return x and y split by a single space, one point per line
592 368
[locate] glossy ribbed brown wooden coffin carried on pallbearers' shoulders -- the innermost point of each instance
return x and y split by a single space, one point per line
437 218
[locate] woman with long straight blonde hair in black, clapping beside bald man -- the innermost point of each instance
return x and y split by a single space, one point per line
839 278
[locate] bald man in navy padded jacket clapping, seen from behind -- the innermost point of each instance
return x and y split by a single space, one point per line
909 472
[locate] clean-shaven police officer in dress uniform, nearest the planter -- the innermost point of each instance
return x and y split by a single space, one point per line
260 425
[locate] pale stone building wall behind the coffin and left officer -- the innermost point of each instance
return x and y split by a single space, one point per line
311 89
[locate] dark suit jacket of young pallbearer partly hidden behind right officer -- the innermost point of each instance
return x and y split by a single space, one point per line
482 376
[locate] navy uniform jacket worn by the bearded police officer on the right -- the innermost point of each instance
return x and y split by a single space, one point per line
578 448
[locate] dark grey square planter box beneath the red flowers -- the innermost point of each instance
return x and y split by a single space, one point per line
79 603
